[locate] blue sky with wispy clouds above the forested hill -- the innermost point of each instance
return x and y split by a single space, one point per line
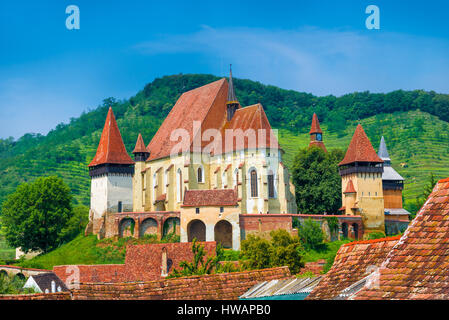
49 73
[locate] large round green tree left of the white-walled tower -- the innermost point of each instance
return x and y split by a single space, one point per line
36 213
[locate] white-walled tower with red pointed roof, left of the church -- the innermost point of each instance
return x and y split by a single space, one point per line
111 172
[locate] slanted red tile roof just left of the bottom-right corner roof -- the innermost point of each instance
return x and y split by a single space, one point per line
353 262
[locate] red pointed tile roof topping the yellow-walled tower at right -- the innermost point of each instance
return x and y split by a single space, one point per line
360 149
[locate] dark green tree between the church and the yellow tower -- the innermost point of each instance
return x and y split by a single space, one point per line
317 182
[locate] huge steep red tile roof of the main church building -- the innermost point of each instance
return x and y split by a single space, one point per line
207 105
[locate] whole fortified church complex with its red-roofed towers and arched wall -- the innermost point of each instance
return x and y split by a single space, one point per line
213 171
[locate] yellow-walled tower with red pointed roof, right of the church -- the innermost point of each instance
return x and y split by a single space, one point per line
362 194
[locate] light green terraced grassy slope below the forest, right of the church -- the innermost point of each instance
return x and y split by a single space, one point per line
424 151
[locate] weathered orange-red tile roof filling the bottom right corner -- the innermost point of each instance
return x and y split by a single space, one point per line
417 267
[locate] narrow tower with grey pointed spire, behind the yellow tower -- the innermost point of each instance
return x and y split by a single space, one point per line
392 184
